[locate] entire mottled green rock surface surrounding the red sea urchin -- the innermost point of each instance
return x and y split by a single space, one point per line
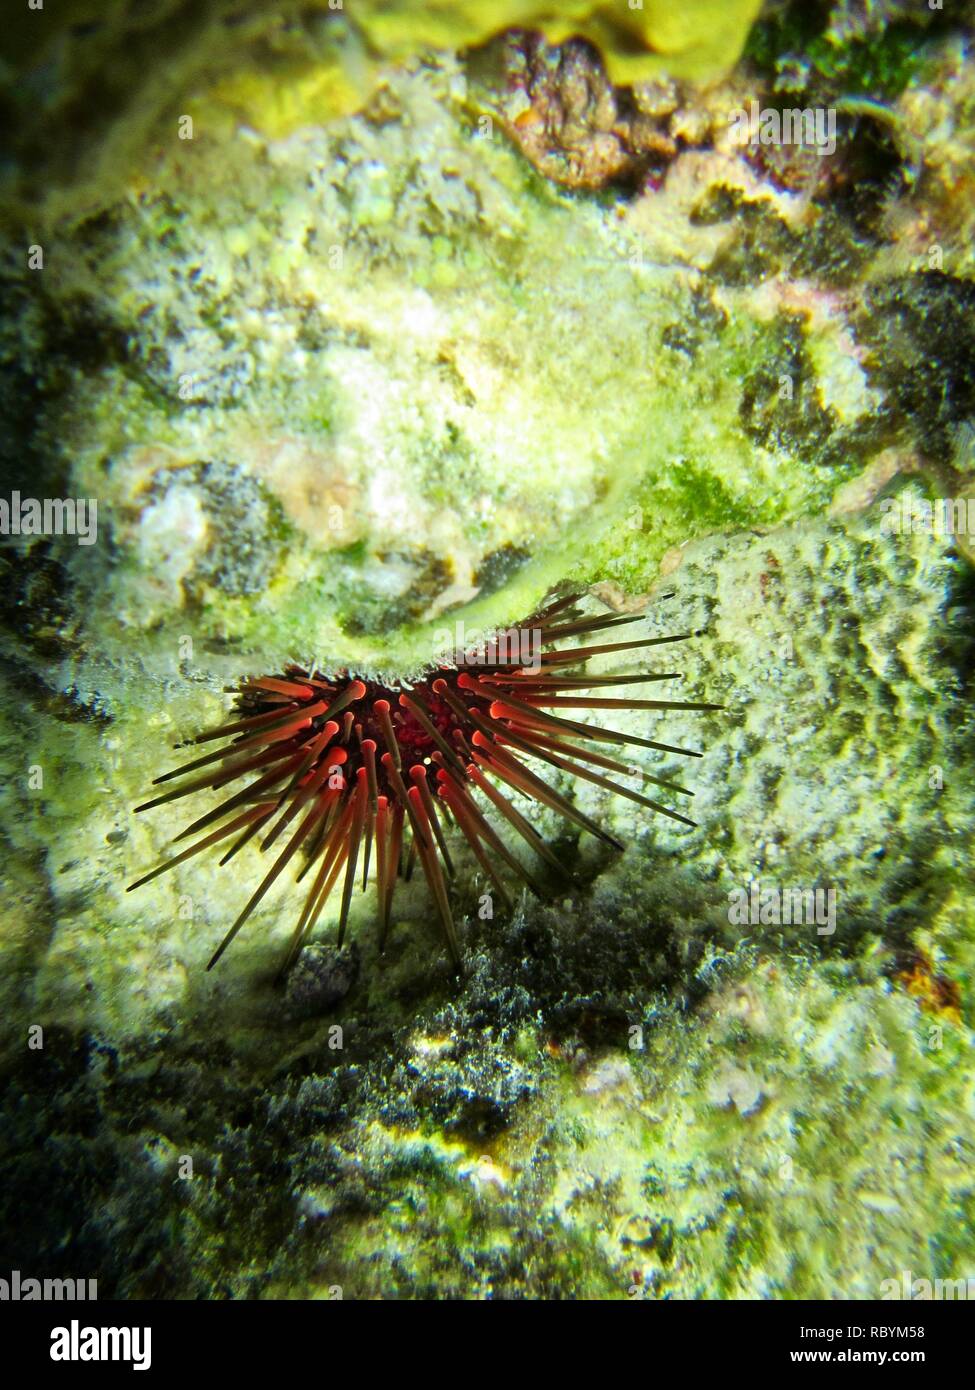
341 377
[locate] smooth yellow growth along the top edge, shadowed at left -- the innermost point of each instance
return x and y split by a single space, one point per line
289 65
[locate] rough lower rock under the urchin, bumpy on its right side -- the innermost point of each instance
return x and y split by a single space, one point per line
560 1110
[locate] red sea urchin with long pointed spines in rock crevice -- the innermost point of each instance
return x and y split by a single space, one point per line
353 768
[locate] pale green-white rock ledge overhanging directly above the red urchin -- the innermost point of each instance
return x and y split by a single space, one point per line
335 376
